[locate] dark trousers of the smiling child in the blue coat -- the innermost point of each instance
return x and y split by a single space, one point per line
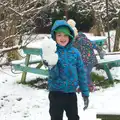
60 102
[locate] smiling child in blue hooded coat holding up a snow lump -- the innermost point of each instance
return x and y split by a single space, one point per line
66 75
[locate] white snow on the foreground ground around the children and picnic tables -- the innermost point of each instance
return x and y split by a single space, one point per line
23 102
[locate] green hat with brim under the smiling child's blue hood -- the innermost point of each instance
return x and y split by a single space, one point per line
64 30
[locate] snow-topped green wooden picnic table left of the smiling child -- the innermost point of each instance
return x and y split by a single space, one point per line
24 64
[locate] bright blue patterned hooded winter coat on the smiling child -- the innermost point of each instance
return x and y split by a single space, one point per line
69 72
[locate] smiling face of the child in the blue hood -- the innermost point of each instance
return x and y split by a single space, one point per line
62 39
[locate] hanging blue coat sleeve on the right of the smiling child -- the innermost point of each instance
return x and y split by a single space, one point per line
82 79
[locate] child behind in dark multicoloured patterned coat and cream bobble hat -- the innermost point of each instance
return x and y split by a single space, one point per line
86 48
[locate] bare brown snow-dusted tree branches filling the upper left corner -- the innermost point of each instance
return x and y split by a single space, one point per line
17 18
